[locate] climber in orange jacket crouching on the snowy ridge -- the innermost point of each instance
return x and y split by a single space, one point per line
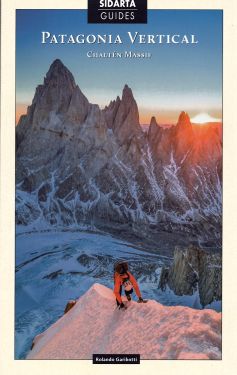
123 278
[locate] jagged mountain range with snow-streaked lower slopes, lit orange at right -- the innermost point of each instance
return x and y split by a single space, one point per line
76 163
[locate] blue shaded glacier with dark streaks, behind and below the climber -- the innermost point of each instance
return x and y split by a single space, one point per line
54 267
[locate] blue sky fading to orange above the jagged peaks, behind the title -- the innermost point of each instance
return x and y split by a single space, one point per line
176 77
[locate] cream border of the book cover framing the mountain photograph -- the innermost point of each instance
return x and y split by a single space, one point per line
228 365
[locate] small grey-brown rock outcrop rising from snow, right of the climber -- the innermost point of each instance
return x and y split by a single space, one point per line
194 269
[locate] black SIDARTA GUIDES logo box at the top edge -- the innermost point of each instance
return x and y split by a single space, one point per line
117 11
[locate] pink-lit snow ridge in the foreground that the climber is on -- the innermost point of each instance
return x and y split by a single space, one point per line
95 325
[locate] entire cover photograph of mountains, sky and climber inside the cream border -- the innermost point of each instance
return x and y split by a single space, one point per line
118 183
